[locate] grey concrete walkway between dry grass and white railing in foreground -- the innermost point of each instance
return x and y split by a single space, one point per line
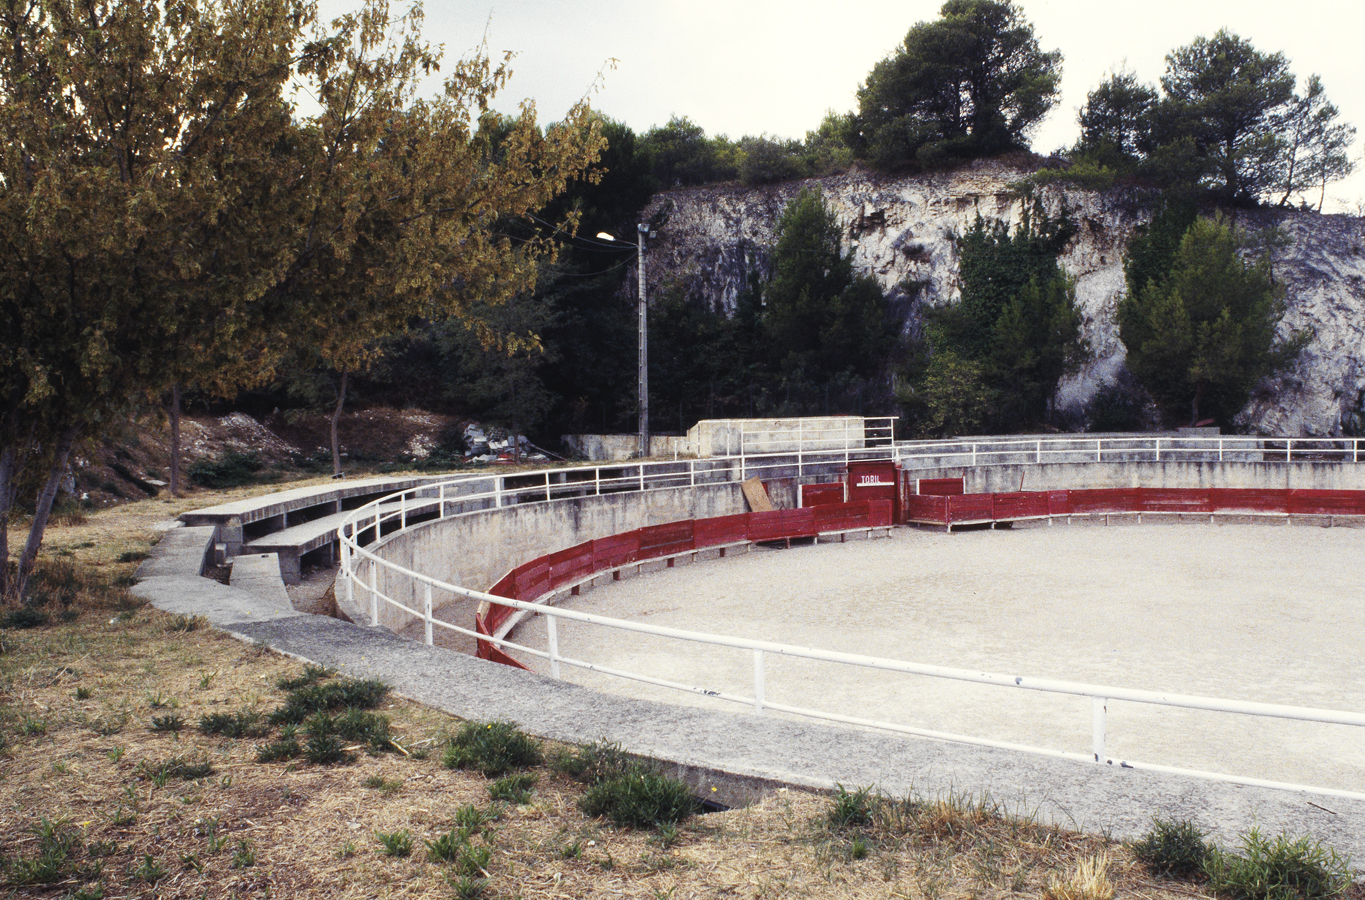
743 755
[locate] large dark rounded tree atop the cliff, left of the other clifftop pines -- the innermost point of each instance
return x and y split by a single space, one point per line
971 84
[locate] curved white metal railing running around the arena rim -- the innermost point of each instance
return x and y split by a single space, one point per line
472 494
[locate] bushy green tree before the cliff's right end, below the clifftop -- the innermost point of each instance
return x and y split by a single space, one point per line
1201 338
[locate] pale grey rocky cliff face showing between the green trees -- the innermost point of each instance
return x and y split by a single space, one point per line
903 231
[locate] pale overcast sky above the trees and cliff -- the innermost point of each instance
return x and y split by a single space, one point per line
765 66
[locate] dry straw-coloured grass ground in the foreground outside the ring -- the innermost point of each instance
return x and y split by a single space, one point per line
91 760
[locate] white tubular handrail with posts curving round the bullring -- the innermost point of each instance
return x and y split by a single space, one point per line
691 473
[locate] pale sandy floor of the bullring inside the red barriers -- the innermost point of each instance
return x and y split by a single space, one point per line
1252 613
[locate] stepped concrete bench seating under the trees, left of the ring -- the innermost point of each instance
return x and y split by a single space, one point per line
296 524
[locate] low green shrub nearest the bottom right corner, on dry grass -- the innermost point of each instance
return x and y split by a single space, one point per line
1278 869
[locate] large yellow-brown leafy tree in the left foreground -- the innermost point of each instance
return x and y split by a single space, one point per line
166 216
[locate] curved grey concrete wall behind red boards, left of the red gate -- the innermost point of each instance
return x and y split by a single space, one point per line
478 550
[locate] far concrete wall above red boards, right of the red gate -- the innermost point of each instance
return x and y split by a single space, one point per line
1151 475
